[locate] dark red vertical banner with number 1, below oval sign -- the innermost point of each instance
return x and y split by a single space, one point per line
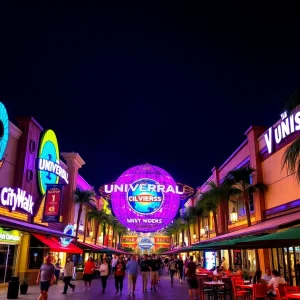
52 203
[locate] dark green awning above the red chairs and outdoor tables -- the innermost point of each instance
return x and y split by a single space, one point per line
285 238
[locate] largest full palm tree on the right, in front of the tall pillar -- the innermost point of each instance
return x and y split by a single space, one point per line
242 186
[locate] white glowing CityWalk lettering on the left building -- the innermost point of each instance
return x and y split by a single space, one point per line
18 198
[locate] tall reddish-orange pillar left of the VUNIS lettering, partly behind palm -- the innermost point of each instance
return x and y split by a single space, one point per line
253 134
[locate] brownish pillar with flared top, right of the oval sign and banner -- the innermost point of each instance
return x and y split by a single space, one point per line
74 163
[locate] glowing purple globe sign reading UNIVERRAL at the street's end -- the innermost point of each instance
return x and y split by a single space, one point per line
145 198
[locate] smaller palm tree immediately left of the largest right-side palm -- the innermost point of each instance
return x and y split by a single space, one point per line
210 202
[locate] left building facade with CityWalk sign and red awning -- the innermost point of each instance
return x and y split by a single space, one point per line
23 232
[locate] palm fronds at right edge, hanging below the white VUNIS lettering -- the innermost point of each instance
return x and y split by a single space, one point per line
291 158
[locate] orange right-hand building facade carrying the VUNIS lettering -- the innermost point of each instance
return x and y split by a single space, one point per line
276 208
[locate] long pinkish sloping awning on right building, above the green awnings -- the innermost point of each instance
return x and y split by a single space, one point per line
264 226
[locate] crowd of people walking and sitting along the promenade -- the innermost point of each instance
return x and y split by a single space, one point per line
149 267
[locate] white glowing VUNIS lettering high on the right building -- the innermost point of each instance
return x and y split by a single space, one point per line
287 126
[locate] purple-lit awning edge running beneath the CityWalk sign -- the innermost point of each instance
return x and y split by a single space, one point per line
31 228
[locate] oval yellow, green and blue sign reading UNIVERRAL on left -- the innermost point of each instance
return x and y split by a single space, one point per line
49 170
